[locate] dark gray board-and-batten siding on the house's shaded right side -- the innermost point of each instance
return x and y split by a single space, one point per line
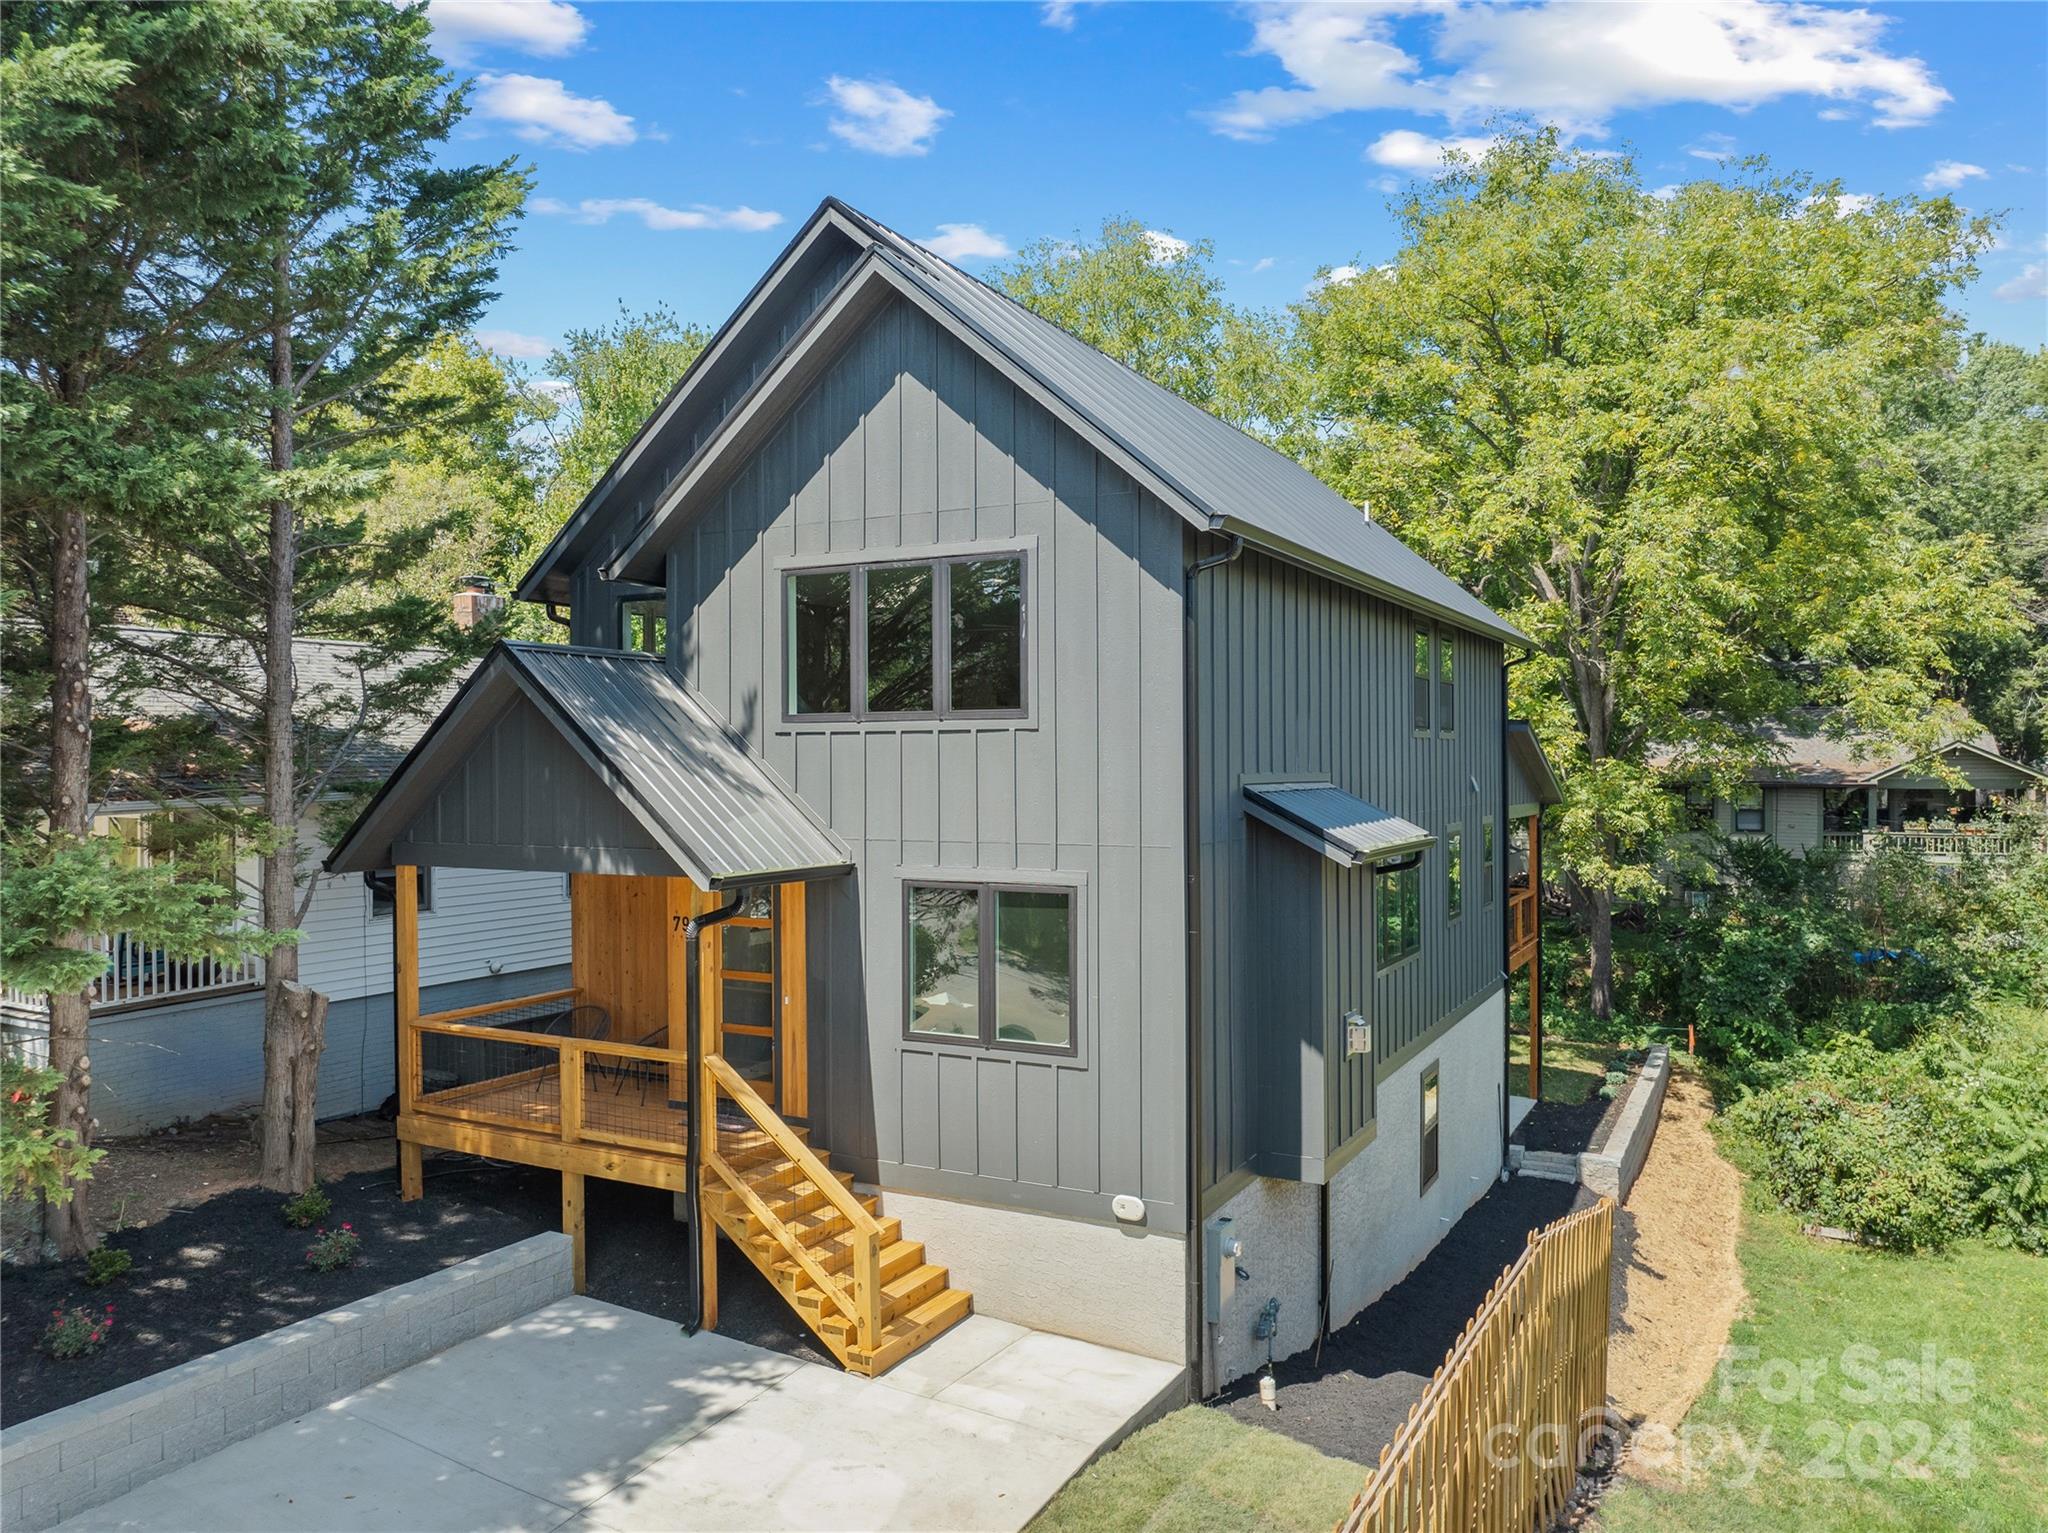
1302 678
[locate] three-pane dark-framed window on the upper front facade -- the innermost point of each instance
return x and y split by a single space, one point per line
902 642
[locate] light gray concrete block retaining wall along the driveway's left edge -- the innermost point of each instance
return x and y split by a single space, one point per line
87 1454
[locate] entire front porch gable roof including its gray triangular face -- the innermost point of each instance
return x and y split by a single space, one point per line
589 760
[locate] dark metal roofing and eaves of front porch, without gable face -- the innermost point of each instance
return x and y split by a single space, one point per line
699 791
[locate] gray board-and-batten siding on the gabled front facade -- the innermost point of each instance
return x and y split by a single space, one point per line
910 447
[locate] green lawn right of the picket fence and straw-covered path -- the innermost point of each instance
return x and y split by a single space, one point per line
1959 1440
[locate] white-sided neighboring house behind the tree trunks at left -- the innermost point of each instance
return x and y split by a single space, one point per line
177 1041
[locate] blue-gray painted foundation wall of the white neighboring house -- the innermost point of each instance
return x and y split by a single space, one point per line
157 1065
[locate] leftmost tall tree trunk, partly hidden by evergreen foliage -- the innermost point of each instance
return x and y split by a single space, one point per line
71 820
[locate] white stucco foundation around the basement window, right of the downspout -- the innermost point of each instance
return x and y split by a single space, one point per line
1381 1221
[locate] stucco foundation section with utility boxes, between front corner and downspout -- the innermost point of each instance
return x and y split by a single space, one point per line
1279 1225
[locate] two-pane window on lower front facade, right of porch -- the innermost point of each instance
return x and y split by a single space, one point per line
990 965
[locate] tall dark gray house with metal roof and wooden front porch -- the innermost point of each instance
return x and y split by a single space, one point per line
1111 816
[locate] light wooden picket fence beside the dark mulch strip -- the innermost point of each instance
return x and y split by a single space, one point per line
1494 1446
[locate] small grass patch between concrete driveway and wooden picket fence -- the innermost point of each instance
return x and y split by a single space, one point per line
1203 1473
